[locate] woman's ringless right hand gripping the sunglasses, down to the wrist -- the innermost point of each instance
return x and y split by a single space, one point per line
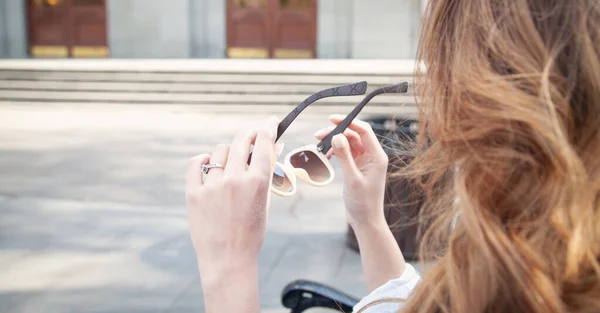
364 165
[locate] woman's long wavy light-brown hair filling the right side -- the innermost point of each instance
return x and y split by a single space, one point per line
509 108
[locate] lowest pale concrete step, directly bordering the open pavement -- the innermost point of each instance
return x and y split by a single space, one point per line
188 98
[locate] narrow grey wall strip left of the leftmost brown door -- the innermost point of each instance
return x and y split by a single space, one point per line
13 29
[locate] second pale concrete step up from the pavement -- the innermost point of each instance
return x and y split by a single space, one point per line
209 88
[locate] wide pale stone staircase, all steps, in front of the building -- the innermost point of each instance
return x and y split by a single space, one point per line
223 83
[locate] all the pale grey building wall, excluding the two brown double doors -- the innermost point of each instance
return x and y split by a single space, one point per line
197 28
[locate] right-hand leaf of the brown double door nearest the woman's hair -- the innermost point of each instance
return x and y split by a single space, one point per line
294 27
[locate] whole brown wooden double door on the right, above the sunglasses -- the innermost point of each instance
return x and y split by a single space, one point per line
271 28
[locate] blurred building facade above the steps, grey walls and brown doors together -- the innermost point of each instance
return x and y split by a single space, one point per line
337 29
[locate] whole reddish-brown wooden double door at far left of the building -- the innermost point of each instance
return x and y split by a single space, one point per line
67 28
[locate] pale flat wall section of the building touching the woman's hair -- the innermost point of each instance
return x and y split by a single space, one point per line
385 29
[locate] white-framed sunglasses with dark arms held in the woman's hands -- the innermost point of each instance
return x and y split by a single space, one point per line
310 163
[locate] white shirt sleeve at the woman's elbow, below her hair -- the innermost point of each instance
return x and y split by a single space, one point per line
400 287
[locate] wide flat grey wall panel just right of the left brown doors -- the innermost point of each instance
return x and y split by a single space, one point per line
149 28
